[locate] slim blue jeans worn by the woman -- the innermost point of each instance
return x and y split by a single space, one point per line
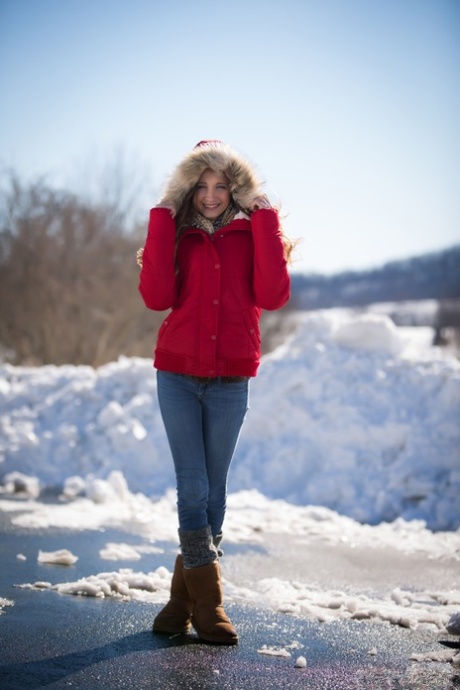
202 423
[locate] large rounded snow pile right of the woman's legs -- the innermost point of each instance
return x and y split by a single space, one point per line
340 420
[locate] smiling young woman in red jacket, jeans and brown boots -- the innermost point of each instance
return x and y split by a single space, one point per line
215 256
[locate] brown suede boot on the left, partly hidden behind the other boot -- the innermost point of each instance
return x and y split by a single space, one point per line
175 616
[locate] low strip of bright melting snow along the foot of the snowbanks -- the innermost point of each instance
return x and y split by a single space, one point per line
250 517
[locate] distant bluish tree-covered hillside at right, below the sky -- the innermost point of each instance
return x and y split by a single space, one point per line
430 276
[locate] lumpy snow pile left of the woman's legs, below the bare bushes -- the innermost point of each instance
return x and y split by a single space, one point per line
57 422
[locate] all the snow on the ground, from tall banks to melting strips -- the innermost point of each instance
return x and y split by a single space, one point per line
353 437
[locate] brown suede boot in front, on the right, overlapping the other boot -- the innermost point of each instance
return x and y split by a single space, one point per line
208 616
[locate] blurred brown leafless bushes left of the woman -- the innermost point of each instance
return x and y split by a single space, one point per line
68 279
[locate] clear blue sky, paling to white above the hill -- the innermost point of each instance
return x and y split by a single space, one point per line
349 108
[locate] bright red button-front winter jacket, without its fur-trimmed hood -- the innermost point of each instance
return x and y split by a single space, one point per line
216 296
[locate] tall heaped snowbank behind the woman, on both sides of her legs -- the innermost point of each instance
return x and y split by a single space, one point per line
351 413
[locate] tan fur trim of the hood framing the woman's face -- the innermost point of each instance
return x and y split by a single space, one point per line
245 186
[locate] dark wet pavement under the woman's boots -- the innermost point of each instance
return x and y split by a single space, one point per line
48 640
